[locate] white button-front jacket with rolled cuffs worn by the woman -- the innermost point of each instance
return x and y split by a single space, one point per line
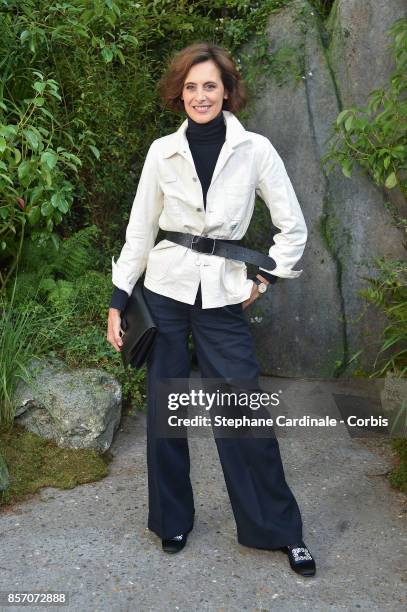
169 196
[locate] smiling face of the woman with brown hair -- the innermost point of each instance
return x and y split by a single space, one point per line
203 92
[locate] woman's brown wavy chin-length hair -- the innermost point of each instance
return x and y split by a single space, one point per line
170 85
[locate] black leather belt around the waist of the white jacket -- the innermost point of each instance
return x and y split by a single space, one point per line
231 249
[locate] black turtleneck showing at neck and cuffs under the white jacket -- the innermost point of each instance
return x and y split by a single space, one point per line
205 142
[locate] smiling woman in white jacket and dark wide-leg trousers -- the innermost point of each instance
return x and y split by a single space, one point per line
201 180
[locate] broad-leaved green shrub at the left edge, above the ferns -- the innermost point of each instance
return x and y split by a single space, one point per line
34 169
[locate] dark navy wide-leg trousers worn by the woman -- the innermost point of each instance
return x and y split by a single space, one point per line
265 510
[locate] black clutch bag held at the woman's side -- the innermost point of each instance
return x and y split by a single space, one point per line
138 327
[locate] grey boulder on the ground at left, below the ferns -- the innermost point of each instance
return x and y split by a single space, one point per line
76 408
